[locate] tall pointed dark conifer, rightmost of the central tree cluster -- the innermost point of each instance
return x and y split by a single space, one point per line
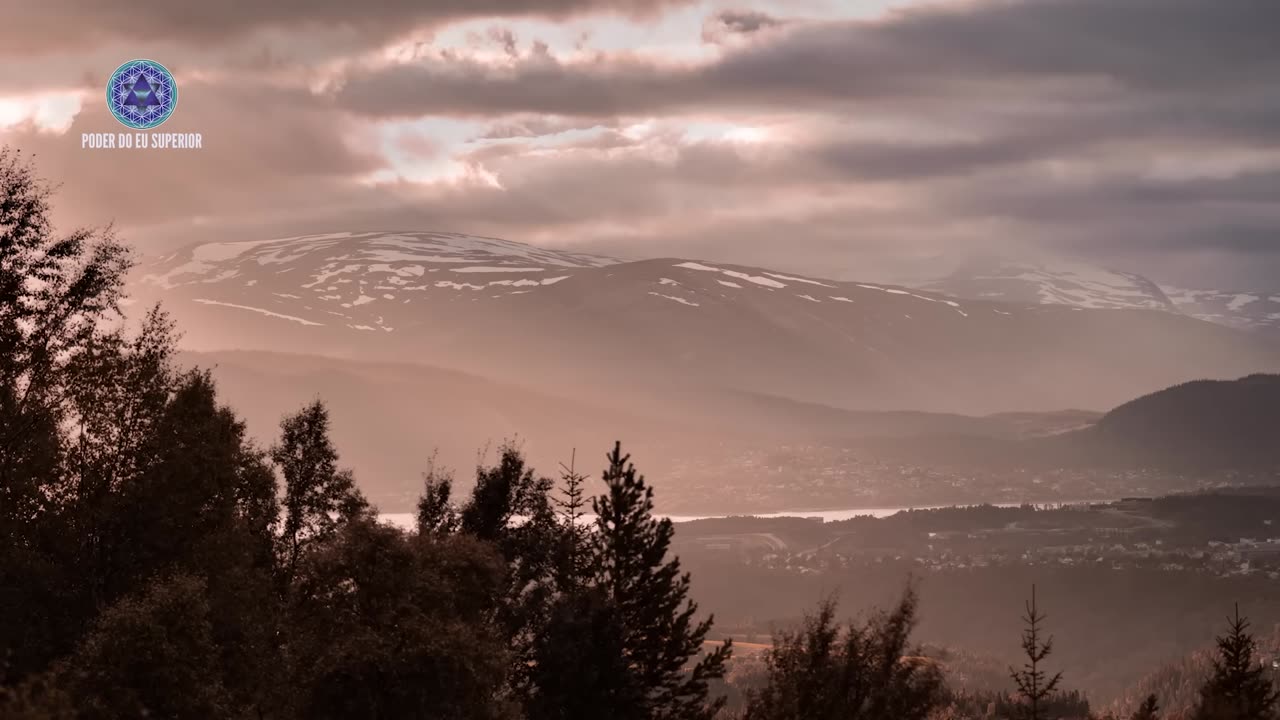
651 598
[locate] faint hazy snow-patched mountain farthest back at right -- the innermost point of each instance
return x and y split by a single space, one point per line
1081 285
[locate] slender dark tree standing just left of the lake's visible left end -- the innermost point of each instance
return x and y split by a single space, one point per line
318 496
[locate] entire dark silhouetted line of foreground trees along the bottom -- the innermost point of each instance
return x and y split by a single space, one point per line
157 563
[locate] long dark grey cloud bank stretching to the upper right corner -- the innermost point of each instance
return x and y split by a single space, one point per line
980 53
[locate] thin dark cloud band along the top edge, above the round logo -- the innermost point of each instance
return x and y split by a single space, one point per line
62 25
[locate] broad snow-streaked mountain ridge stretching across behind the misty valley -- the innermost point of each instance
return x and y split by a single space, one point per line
616 334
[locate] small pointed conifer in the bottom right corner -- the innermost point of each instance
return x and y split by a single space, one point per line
1240 689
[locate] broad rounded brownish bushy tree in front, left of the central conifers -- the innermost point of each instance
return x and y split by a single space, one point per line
391 626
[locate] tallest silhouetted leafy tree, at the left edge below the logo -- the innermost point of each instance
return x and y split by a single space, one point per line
58 297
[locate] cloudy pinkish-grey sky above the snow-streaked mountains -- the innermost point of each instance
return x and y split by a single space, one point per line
848 139
